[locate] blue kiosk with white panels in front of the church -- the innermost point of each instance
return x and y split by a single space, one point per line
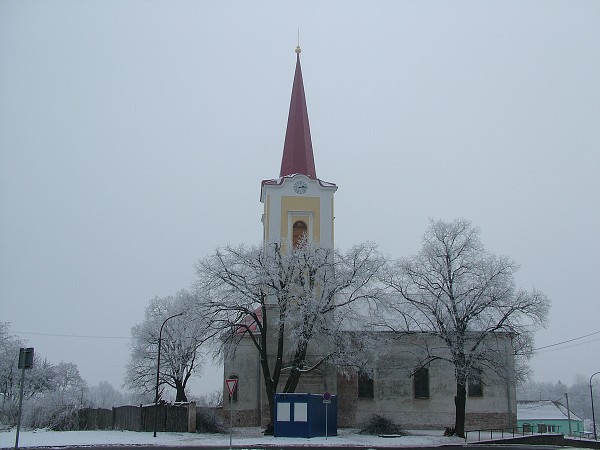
305 415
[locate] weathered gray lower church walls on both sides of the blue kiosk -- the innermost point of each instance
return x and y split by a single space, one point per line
393 389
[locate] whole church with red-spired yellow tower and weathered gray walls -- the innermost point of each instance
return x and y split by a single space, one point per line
299 205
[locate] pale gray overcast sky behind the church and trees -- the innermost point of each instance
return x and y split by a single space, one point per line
134 136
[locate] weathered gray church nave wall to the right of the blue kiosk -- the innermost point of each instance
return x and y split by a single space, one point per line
393 393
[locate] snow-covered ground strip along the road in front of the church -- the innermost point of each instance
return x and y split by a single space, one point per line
244 437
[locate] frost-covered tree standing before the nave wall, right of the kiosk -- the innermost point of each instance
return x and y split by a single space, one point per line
456 290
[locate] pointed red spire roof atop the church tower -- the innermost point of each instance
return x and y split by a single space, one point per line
297 149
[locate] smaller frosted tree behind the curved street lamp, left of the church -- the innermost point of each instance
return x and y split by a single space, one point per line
180 351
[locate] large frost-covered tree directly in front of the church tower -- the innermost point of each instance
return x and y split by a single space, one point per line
282 299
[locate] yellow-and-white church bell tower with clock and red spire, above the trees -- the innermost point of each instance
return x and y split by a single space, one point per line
298 204
